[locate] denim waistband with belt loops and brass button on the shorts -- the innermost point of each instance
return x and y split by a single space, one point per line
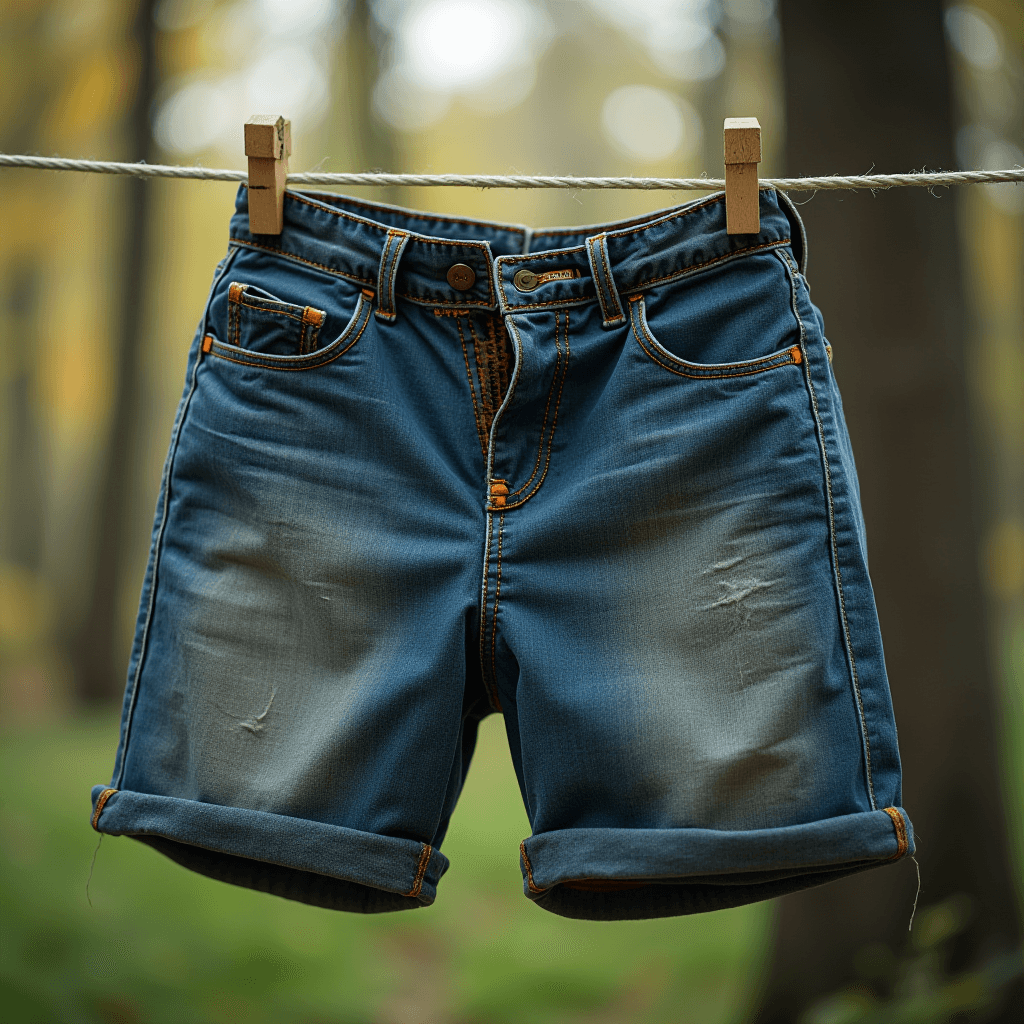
454 263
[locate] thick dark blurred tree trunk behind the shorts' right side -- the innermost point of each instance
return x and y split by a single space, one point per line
867 86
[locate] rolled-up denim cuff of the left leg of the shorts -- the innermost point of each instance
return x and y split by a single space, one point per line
311 862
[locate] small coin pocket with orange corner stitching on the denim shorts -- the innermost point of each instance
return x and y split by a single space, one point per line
260 322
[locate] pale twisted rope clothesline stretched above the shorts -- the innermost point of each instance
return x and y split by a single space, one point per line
924 180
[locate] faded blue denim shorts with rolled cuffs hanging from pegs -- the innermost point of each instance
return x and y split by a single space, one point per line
596 481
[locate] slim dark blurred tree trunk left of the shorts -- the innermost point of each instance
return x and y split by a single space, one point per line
95 649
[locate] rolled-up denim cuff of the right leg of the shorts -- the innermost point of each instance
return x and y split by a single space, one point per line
632 874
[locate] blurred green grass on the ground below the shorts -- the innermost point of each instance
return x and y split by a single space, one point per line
162 945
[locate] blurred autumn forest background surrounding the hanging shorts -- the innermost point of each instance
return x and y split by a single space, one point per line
102 282
